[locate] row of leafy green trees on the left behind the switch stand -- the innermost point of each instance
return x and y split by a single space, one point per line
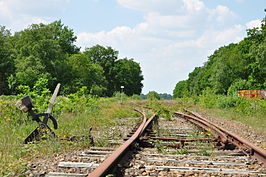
48 51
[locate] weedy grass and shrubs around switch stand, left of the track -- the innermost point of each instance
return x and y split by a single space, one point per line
76 113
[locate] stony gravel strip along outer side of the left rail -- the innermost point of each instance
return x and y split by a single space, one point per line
40 166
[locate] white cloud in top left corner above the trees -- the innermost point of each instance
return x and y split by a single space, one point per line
17 14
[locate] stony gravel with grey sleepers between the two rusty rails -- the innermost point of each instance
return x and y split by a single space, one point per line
151 161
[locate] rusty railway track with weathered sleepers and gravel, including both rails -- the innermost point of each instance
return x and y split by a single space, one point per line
187 145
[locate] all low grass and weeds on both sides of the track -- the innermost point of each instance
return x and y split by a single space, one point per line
78 112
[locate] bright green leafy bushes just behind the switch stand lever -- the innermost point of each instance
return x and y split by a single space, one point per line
40 95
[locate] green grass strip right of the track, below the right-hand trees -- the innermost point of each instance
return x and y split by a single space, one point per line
248 111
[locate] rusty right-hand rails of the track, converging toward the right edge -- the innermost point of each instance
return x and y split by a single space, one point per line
247 147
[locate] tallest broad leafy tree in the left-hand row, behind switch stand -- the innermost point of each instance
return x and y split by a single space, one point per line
42 51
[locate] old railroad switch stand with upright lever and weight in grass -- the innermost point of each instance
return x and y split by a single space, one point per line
42 130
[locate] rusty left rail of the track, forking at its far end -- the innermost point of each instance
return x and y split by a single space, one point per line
109 163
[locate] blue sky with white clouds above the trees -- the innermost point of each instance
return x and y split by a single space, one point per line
169 38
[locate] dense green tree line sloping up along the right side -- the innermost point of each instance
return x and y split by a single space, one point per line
233 67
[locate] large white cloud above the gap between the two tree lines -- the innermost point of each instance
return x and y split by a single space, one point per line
168 45
